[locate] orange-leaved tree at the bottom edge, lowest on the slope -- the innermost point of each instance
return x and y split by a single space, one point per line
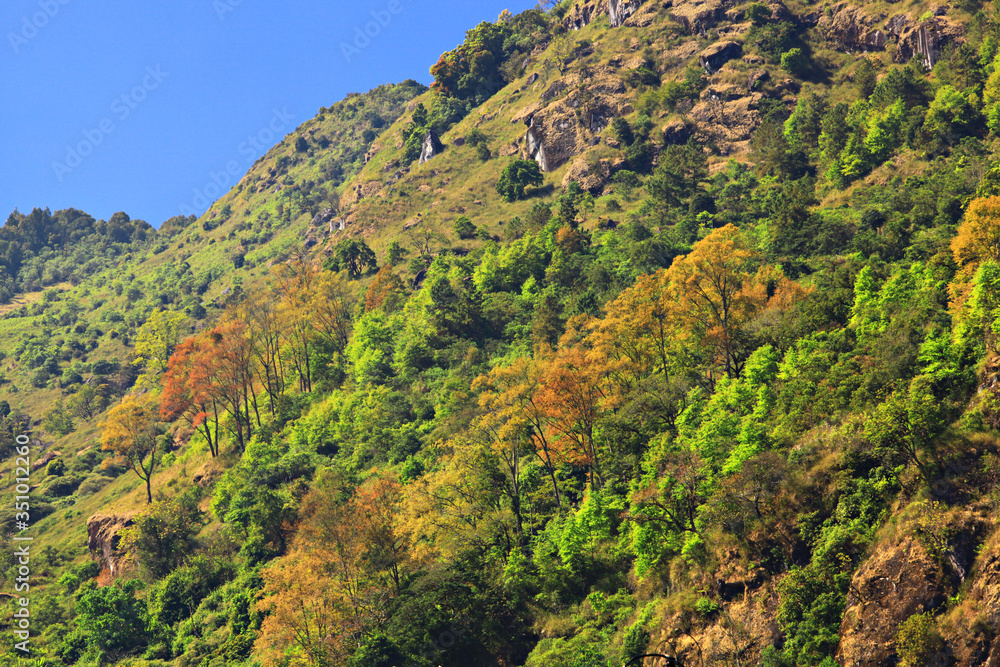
335 586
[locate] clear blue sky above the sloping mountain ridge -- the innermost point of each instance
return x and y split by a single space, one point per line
131 105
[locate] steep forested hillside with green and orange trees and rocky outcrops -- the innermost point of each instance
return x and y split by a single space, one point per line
650 334
